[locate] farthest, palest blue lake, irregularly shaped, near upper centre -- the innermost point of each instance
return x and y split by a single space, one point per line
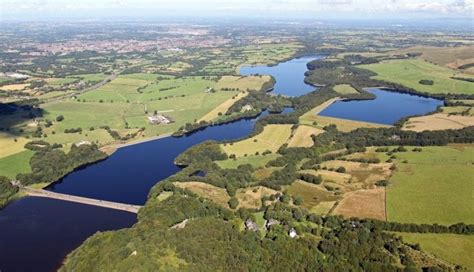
289 75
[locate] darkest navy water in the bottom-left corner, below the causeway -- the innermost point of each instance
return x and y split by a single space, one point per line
37 233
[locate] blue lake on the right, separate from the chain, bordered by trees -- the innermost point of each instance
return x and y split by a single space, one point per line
387 108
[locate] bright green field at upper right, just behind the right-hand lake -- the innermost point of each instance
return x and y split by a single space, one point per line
409 72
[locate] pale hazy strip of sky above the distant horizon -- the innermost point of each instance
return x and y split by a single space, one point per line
31 9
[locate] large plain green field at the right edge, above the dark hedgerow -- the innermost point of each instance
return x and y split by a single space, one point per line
434 186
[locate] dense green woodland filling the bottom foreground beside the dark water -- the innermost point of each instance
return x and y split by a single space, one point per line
211 239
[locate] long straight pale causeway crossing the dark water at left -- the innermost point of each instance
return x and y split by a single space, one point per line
82 200
